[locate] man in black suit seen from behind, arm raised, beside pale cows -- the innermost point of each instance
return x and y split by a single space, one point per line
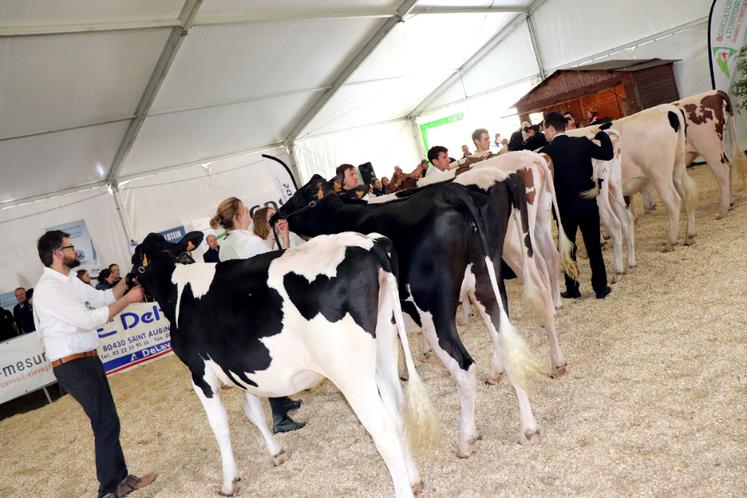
571 157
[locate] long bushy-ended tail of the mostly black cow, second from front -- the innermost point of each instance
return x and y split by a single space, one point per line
518 359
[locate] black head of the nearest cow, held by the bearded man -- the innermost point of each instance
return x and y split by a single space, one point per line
154 260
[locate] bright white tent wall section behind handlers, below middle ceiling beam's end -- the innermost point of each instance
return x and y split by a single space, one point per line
385 145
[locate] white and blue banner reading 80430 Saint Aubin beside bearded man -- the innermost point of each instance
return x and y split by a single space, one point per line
138 334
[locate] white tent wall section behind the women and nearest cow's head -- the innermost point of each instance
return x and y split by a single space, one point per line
182 196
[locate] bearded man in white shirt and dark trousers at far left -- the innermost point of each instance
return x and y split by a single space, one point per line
67 313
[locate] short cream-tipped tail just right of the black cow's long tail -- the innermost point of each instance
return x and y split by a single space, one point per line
519 212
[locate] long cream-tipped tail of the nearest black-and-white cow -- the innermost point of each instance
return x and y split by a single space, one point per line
422 426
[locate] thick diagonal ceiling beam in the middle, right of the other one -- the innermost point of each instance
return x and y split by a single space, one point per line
404 8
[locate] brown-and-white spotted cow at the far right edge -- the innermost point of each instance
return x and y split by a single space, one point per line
706 116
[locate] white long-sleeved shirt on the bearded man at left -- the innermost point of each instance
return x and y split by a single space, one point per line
67 313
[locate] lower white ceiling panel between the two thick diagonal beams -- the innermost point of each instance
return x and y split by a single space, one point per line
182 137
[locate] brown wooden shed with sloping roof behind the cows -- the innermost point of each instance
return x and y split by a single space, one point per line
614 89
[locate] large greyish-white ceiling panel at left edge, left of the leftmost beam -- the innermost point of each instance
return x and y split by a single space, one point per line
62 81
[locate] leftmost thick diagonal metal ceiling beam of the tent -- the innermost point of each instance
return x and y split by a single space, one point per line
174 42
